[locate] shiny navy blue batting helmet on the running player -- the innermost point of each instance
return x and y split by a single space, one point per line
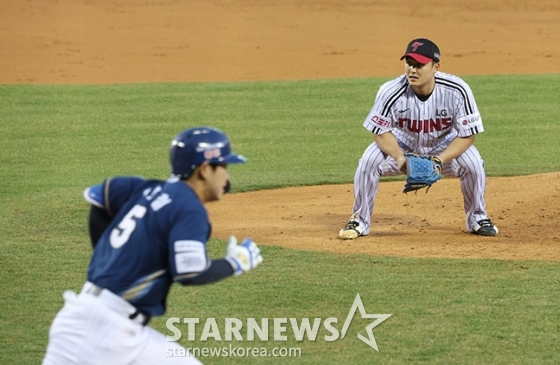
192 147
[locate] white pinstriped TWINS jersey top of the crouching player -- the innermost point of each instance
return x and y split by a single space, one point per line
423 126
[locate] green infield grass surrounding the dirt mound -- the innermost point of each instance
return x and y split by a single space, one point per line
57 140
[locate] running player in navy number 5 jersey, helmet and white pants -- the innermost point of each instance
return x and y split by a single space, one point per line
148 234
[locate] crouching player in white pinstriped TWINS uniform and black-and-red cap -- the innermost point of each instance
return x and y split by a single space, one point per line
427 112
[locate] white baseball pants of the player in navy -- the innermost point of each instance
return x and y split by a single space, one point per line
92 329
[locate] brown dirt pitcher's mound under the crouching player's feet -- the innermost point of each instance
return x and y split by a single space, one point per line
526 210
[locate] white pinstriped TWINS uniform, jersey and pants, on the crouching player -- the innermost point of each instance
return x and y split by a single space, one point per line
425 126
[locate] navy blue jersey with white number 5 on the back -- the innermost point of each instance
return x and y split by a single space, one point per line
157 236
